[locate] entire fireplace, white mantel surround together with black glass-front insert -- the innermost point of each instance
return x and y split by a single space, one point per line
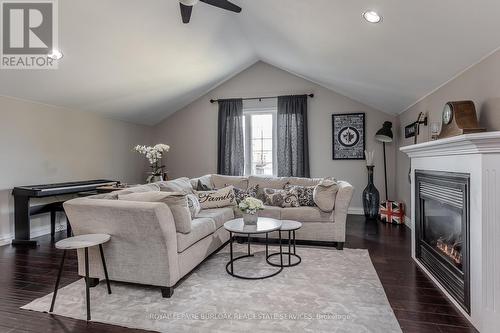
455 211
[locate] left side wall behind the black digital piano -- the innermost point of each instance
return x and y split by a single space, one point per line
46 144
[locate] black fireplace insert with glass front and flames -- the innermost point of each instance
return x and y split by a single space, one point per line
442 230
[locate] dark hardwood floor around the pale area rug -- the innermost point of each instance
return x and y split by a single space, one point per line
419 306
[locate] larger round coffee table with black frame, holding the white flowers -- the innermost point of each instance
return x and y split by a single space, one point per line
264 226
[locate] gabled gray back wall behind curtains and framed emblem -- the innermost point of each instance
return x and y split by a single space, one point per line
192 131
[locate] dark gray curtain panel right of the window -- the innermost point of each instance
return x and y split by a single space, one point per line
293 150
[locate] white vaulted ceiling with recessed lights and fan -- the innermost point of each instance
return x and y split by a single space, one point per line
135 60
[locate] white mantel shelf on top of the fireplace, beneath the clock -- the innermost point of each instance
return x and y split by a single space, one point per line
476 143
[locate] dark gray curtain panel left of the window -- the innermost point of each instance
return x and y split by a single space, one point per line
231 155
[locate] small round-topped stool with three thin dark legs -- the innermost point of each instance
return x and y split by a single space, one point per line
82 242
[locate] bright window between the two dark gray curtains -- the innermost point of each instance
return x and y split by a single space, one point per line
260 141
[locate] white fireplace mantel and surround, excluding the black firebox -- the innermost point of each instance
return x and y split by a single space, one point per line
478 155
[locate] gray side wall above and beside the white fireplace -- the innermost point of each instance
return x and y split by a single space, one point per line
480 83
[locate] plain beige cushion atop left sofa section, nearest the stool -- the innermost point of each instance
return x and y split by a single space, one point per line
177 202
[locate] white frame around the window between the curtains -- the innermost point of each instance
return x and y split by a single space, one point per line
247 113
